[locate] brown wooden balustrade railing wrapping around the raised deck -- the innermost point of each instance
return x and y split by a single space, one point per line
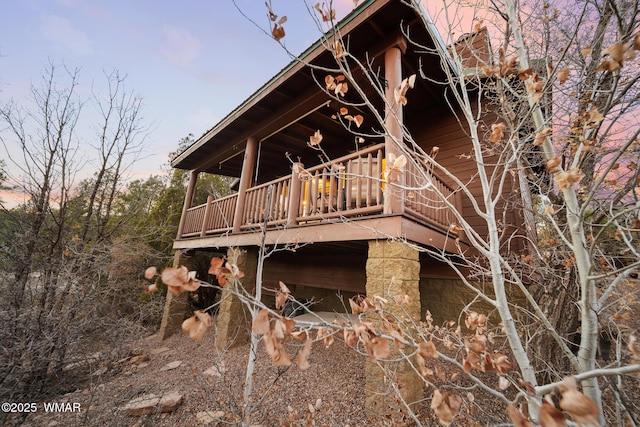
350 186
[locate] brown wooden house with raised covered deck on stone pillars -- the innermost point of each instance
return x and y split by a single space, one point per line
344 223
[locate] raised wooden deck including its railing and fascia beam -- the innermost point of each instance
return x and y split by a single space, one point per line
337 201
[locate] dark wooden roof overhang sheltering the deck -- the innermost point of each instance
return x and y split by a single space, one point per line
284 112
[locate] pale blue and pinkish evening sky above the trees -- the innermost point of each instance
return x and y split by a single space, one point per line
192 61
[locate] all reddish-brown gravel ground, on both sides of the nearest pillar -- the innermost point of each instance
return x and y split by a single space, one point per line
329 393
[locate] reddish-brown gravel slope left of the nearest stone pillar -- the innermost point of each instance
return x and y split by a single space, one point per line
337 395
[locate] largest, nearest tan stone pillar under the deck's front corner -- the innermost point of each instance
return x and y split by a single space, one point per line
393 268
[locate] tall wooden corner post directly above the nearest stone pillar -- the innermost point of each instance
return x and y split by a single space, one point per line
393 193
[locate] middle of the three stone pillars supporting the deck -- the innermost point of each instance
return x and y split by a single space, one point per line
233 324
